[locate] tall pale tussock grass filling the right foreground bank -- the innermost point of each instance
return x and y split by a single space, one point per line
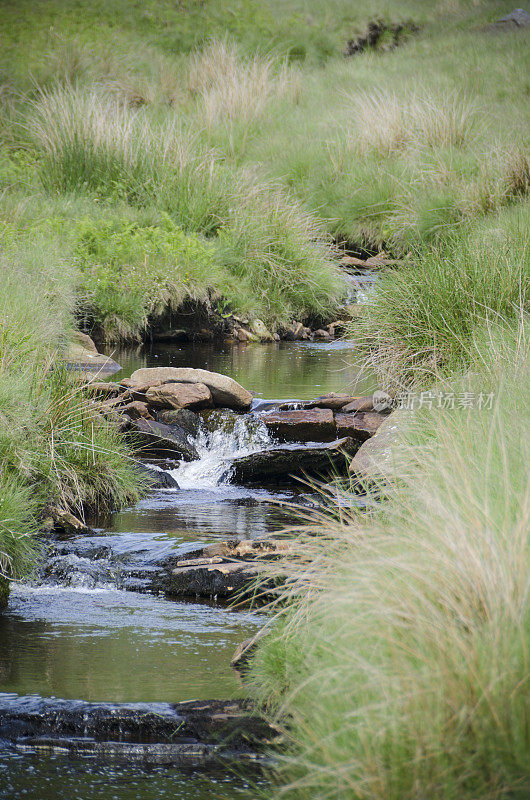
403 663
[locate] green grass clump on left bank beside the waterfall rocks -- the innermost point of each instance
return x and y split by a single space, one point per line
54 448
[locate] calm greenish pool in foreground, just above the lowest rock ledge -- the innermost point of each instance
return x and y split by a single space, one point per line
116 646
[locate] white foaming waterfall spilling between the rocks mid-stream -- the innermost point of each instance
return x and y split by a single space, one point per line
224 436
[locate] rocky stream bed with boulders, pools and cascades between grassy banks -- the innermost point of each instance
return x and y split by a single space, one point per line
118 652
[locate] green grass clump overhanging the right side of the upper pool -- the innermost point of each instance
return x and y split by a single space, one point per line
421 320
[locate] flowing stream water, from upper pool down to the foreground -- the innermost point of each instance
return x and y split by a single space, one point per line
99 642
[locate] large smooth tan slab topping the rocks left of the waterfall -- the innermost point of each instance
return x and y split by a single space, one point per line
225 391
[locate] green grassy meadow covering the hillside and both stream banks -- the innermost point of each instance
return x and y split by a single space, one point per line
228 153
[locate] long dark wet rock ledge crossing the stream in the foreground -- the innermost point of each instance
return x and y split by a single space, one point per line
136 730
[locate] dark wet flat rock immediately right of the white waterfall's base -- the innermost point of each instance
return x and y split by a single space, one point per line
294 460
